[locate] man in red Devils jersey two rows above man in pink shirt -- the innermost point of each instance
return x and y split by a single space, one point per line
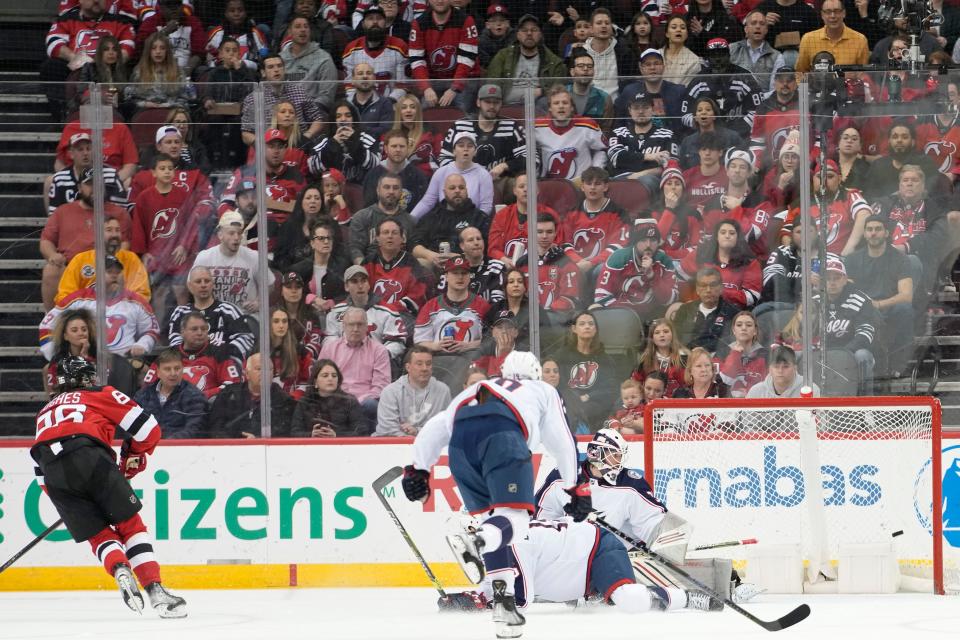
396 277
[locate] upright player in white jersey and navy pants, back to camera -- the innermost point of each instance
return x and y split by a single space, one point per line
490 429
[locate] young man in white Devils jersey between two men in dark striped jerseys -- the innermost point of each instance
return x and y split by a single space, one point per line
567 143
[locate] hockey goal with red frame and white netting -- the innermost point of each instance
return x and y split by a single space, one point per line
738 468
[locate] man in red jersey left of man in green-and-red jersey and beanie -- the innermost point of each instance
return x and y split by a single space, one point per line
558 277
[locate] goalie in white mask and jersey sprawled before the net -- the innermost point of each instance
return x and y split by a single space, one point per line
626 501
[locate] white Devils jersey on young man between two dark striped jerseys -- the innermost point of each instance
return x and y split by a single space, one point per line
567 151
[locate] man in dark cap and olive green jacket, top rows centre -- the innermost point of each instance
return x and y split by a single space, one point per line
528 58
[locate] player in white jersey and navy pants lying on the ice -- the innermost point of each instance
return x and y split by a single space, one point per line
558 558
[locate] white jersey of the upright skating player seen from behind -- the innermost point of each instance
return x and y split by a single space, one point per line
540 416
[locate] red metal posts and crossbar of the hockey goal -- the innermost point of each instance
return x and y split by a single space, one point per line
882 402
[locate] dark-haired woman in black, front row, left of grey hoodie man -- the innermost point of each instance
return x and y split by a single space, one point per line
327 411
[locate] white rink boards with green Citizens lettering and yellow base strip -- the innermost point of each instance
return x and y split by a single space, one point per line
255 514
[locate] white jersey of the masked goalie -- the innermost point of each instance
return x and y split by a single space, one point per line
628 505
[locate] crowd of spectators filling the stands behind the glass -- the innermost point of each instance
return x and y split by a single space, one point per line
396 233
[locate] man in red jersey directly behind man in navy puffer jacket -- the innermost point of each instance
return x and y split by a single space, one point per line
205 366
